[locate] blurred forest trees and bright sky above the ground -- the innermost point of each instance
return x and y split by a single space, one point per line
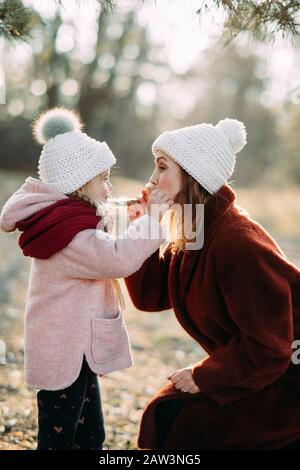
146 67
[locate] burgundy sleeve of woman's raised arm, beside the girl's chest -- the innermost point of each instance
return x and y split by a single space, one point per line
148 287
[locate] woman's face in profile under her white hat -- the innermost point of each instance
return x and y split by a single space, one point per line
167 175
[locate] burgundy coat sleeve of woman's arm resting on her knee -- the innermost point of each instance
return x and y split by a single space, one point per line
257 296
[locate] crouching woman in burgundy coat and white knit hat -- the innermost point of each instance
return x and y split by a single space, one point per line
237 296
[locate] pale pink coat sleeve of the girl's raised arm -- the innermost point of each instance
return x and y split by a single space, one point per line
95 254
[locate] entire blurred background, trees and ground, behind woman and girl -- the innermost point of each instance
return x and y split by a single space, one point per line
133 72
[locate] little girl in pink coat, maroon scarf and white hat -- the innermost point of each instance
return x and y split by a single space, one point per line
74 326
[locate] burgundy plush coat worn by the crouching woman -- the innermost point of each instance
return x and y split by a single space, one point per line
239 298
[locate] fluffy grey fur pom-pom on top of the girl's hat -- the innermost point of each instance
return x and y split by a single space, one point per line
54 122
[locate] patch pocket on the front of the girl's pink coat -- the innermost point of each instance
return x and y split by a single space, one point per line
109 338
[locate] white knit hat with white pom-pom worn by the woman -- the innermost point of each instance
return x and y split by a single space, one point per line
205 151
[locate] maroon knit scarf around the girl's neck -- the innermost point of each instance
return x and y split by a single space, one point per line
51 229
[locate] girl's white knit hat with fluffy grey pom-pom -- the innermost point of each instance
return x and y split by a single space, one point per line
70 158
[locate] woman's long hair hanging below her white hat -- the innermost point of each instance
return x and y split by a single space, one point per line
191 192
